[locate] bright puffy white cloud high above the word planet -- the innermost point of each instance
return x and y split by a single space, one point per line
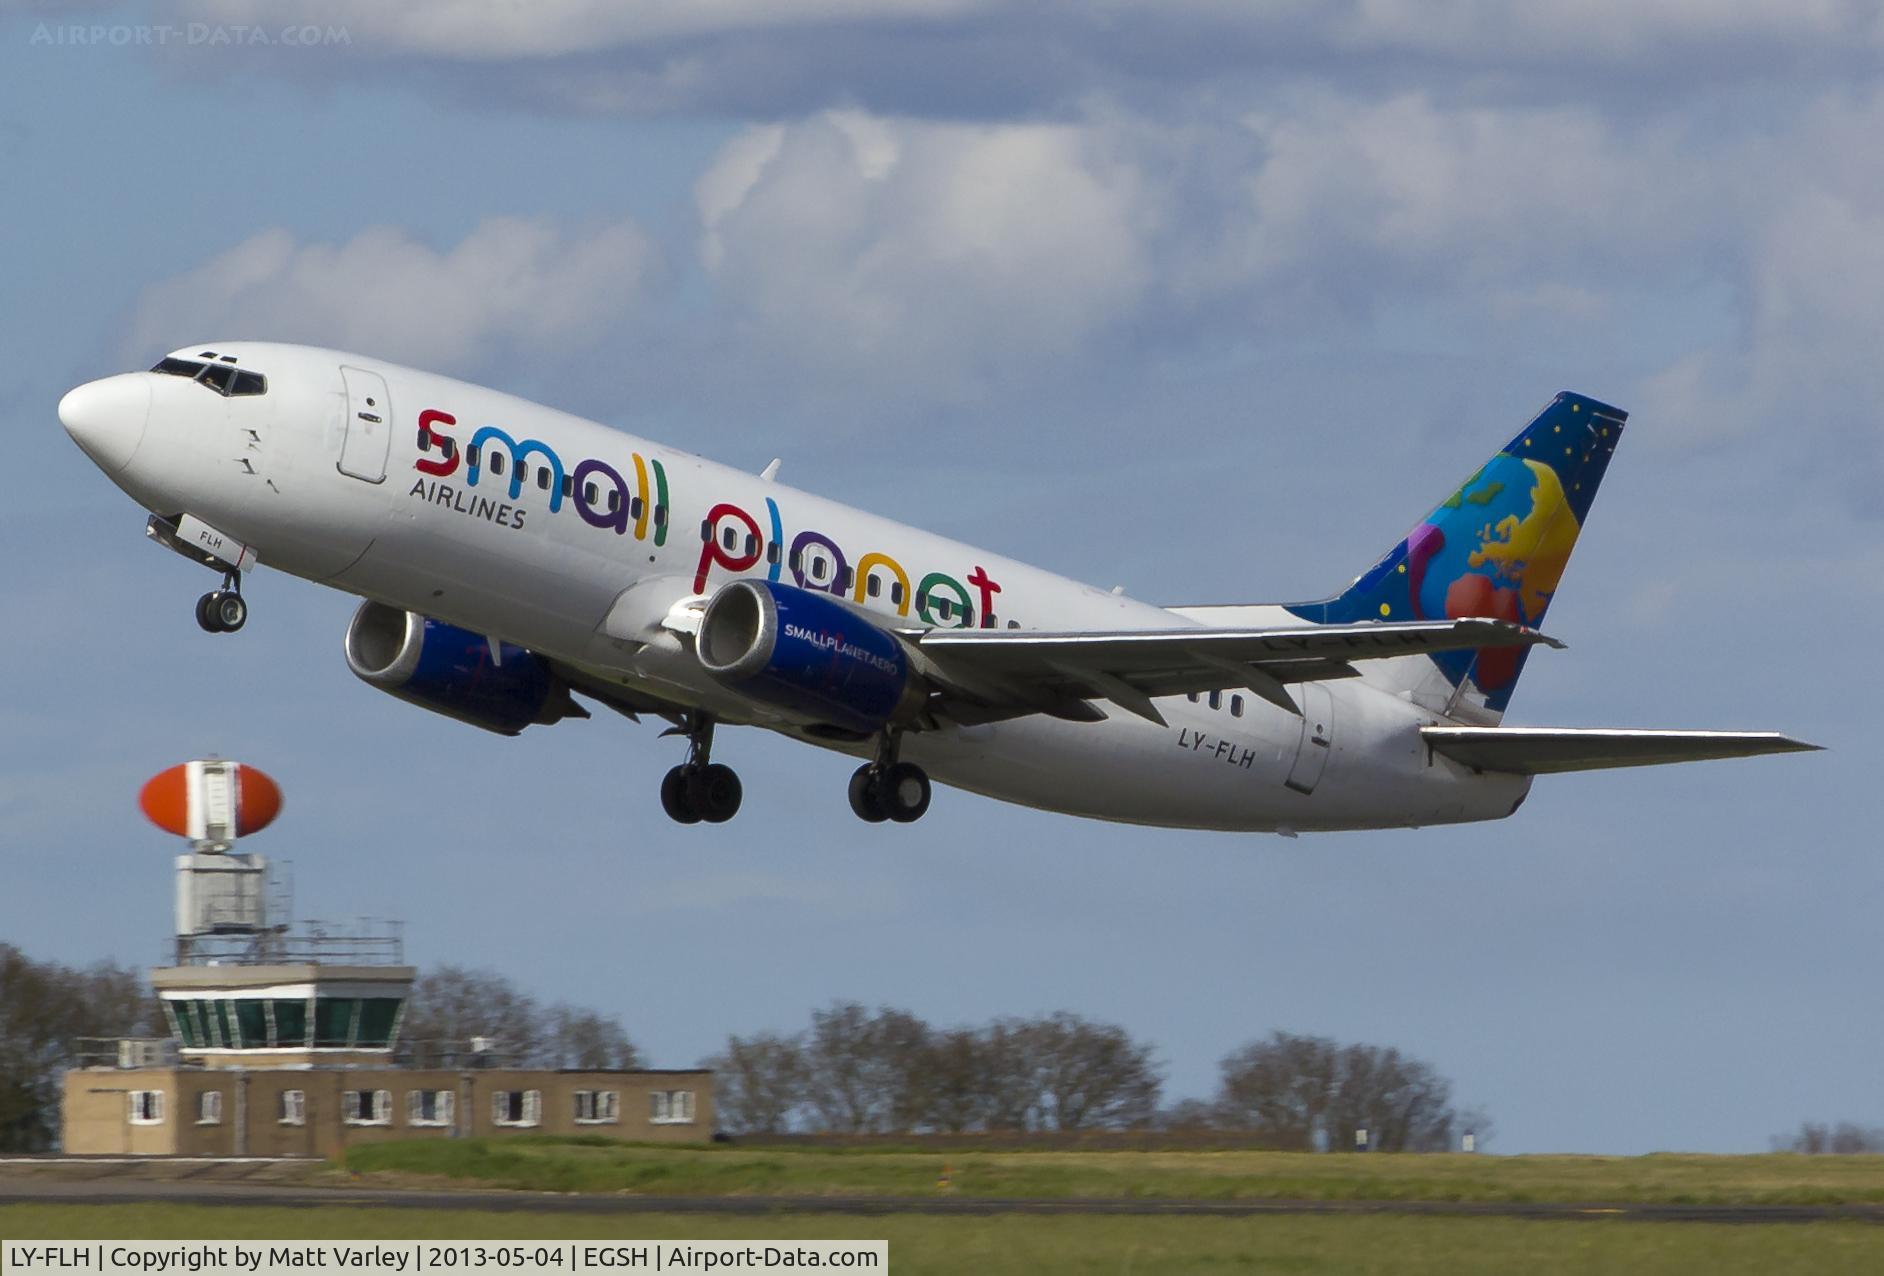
924 250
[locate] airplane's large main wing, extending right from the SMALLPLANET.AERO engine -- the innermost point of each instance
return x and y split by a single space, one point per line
1005 674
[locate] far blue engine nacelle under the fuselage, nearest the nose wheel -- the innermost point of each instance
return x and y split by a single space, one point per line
453 672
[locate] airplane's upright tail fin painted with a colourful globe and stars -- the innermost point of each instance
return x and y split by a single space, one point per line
1497 548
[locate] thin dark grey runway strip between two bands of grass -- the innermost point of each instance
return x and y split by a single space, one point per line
48 1190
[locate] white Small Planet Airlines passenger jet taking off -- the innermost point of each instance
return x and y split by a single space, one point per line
512 557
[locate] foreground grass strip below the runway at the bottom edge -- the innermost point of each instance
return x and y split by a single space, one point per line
1022 1245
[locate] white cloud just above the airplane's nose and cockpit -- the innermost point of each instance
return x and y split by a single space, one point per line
383 291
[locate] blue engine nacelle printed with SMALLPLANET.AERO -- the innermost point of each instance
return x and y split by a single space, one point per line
809 655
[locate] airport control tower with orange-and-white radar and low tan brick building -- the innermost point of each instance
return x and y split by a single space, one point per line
285 1036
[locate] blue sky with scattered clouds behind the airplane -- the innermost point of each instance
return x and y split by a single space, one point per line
1171 297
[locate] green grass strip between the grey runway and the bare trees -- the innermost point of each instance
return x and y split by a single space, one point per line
547 1164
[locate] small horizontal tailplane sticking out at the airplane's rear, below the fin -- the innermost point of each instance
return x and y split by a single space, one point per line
1544 751
